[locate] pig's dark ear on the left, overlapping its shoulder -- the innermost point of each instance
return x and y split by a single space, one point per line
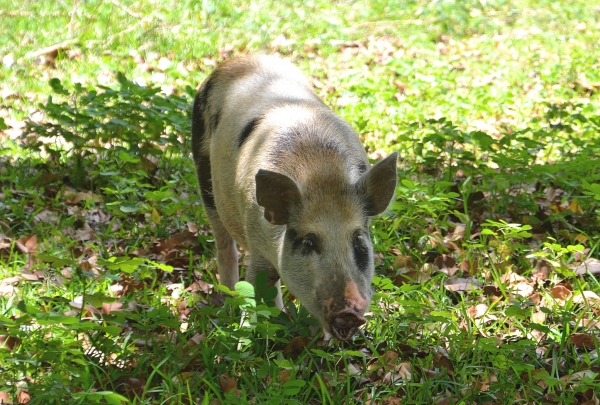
277 193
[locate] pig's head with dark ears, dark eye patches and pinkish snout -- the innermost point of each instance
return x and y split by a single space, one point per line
327 256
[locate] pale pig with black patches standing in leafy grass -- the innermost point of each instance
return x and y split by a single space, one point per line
287 179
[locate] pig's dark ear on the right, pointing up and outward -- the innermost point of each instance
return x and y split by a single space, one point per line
378 184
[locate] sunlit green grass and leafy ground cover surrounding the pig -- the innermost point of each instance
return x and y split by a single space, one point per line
107 290
